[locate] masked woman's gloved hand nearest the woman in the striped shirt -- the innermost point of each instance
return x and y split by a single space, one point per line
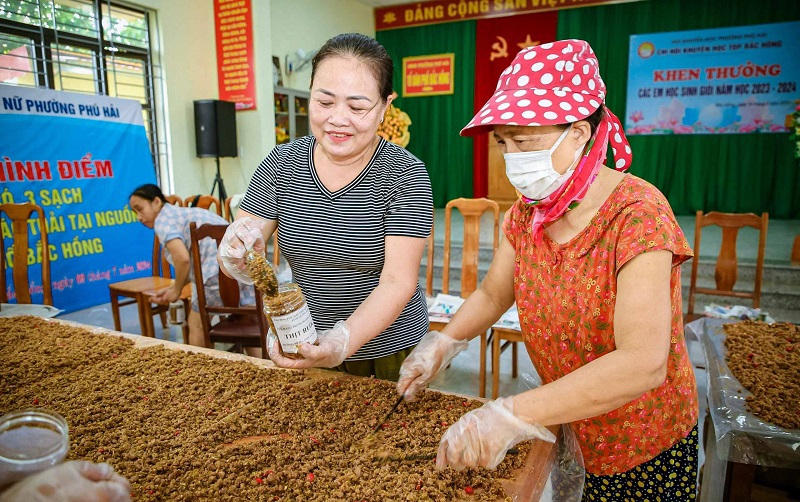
433 352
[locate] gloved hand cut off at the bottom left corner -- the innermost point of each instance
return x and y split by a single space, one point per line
73 480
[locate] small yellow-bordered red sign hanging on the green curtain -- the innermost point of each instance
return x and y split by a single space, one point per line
428 75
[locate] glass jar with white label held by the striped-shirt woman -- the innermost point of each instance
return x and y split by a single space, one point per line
290 319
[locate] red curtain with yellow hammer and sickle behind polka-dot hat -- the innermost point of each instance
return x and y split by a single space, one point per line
498 40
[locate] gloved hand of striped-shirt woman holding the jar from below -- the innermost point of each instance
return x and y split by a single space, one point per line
330 351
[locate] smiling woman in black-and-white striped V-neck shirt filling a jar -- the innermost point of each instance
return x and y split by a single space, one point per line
353 212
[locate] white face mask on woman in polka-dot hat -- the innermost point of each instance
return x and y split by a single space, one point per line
532 173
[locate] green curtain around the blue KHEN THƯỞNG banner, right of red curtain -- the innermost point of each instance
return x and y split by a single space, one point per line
711 172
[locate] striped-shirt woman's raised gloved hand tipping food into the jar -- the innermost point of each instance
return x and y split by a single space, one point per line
241 235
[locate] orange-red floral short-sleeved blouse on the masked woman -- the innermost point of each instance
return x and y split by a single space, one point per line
566 294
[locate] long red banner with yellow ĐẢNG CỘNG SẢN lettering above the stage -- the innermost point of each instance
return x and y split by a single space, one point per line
445 11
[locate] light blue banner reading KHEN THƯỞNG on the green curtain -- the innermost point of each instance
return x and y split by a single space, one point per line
728 80
